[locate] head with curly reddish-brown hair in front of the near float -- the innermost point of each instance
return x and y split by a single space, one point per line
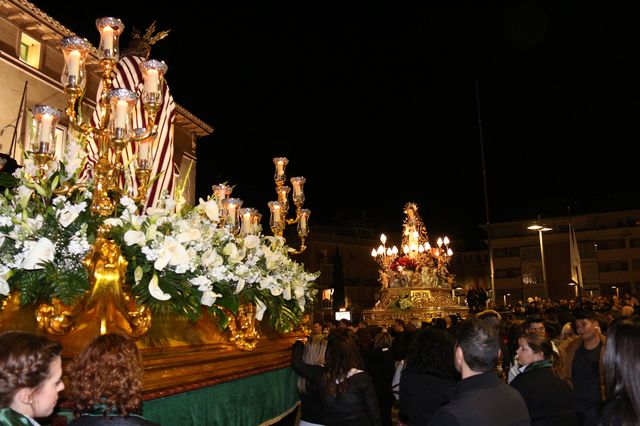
107 373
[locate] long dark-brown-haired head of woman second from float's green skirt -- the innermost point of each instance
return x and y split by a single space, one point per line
341 356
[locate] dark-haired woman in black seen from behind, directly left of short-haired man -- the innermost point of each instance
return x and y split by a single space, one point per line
429 376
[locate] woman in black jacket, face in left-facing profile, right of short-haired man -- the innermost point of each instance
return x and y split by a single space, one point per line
546 391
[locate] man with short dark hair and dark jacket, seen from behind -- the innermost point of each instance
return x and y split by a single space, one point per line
481 398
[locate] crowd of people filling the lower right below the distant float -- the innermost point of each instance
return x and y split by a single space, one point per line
567 363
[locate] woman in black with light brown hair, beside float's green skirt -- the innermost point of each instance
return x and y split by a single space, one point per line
308 360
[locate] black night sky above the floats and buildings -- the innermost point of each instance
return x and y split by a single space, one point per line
376 104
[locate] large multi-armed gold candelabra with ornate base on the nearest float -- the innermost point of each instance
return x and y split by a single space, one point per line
108 303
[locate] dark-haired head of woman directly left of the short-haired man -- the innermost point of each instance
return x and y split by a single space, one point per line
431 352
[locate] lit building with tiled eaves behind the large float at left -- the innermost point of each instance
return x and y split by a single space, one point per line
30 57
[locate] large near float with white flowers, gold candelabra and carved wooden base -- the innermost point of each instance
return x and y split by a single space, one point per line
187 283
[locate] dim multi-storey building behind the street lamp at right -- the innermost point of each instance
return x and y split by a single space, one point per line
609 246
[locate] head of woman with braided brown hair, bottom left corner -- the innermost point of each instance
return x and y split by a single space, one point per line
30 373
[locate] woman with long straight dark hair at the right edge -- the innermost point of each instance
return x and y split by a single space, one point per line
622 376
